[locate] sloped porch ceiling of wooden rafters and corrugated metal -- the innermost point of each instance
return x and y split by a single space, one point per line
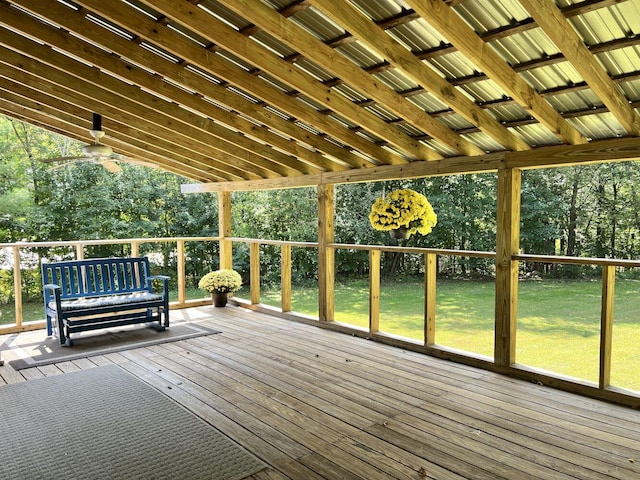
250 90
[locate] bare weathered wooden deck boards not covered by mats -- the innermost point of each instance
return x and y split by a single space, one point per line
313 403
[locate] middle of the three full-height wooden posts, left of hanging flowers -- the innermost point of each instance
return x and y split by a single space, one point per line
326 273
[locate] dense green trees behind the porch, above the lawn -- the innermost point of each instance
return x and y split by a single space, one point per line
587 211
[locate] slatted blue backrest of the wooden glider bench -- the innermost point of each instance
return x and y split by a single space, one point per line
95 277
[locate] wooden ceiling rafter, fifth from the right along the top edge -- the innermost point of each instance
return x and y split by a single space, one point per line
221 34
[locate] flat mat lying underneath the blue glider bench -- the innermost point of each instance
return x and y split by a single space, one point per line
34 349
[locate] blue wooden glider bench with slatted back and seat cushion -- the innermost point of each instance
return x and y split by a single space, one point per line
82 295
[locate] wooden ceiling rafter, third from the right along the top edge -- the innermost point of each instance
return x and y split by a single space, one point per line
385 46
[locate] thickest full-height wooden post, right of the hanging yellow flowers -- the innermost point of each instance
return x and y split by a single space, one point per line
507 245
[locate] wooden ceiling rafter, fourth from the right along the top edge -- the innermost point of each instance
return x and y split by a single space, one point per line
326 57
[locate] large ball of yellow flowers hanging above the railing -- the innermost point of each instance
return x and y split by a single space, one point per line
403 213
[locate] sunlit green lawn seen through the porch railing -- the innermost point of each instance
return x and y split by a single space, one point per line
558 321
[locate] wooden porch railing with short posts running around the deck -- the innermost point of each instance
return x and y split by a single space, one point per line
426 345
